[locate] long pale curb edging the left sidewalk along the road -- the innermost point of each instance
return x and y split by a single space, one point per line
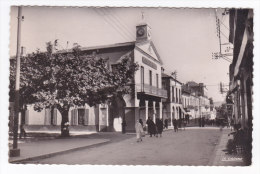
21 161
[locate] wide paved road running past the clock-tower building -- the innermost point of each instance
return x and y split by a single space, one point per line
189 147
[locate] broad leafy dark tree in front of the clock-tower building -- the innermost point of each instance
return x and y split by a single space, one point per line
68 79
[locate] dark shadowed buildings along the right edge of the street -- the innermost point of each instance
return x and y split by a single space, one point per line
239 96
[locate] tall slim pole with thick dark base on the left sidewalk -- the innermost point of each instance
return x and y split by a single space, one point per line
15 151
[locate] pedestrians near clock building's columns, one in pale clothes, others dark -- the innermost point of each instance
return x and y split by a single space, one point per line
154 129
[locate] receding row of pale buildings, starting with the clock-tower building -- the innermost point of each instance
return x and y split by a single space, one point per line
156 93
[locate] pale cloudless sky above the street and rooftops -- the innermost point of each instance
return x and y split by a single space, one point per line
185 38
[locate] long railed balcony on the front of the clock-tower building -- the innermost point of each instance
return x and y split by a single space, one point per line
151 90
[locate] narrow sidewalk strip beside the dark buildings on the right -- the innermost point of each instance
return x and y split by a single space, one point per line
221 158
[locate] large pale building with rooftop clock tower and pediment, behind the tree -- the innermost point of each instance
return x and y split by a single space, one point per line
144 102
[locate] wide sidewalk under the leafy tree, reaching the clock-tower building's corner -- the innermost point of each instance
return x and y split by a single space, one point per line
43 147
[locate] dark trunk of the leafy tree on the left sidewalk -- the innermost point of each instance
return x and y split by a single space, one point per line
64 121
